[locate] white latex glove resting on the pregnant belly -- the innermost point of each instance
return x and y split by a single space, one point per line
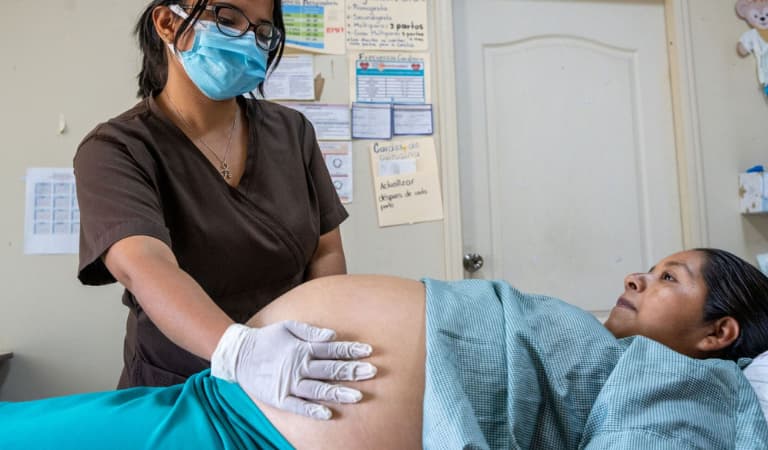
282 365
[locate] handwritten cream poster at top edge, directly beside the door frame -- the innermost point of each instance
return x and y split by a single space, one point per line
392 25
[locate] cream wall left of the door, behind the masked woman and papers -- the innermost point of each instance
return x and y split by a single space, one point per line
79 58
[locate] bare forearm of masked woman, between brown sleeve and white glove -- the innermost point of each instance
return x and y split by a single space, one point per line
172 299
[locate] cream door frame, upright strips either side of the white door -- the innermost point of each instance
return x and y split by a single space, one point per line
685 115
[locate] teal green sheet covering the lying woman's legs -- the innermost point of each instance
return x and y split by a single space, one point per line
205 412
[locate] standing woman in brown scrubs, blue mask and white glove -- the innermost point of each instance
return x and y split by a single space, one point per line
207 205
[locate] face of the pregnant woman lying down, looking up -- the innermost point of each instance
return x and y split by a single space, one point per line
666 304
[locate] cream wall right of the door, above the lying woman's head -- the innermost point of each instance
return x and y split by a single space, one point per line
733 115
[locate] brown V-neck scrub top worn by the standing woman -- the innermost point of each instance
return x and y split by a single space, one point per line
138 174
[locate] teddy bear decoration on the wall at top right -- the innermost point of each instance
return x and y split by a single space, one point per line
755 40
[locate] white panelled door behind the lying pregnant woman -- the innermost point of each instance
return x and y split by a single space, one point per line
568 167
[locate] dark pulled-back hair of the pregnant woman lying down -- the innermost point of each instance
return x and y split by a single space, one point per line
736 288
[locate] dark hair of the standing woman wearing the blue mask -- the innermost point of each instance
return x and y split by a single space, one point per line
154 66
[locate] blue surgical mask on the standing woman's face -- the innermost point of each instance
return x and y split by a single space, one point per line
222 67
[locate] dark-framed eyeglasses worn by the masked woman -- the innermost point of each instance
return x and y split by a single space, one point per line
234 23
